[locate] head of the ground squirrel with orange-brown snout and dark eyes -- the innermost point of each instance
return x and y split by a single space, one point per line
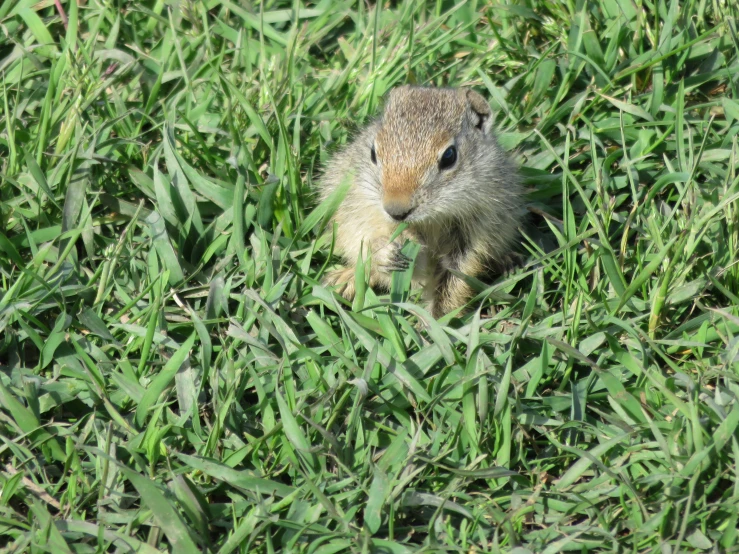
429 145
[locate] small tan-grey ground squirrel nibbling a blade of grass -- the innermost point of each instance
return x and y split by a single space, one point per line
429 160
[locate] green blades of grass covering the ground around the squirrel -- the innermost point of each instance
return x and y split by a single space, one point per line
173 377
